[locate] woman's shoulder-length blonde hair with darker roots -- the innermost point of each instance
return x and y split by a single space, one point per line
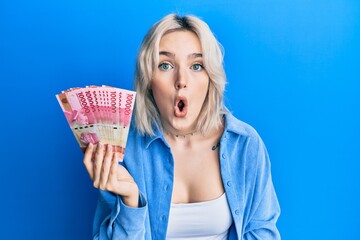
146 112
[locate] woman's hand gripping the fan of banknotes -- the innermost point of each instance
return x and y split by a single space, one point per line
102 164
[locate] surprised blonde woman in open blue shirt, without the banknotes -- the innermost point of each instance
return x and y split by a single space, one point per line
191 169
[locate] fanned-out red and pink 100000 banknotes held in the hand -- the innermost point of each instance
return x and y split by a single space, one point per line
98 114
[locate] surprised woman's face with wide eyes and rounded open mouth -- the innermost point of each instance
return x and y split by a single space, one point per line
180 82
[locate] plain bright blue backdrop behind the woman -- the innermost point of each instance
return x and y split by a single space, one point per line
293 73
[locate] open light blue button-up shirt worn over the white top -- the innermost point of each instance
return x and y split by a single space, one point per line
246 176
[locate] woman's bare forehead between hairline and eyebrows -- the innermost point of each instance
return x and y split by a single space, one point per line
180 41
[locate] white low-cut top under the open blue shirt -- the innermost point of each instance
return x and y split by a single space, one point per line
202 220
